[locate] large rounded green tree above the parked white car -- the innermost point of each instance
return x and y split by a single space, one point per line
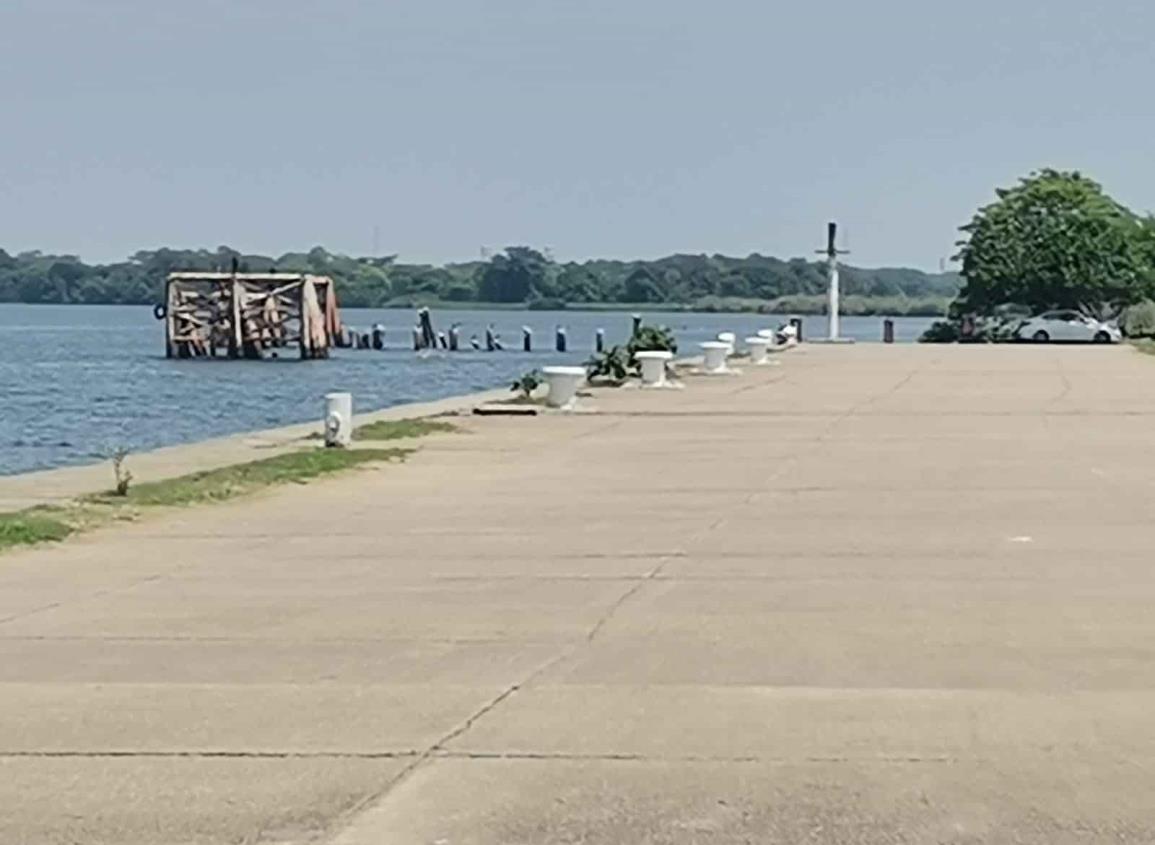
1056 241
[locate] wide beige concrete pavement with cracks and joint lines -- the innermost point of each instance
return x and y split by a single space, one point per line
874 595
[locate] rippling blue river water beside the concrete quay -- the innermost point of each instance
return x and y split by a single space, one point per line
80 382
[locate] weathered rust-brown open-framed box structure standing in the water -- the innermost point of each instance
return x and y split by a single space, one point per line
250 315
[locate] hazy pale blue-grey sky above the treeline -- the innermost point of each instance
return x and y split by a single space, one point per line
597 129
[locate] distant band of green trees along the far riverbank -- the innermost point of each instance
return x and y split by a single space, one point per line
518 276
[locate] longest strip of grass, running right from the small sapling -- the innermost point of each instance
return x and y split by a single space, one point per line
241 480
